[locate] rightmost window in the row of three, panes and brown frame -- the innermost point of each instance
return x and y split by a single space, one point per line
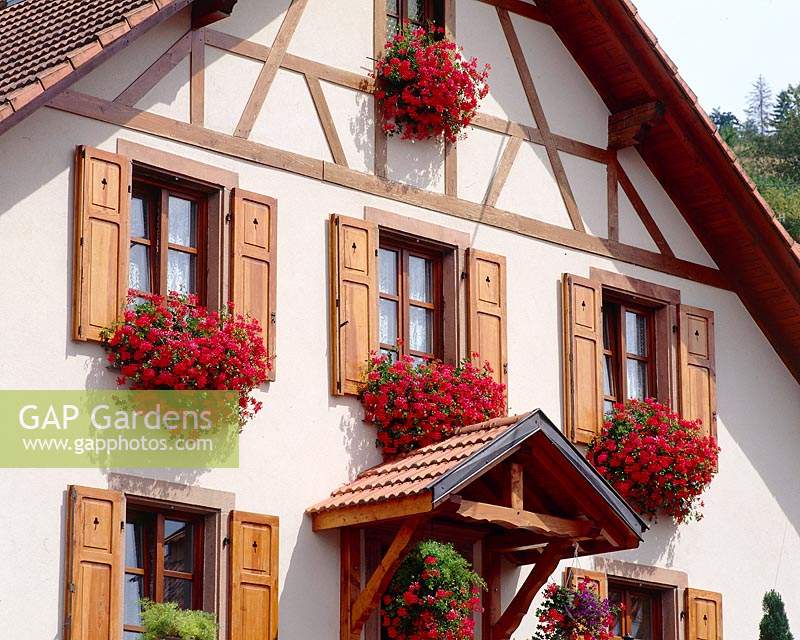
628 352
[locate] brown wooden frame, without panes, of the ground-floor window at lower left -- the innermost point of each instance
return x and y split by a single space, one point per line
162 512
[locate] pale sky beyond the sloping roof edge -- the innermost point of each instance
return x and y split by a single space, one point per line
721 46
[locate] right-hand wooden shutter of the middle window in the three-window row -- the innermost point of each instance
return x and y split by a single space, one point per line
486 315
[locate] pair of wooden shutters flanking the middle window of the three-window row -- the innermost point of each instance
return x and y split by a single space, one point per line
354 303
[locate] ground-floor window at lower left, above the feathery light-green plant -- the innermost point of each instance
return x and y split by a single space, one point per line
163 561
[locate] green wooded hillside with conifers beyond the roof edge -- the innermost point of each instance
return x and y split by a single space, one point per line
768 146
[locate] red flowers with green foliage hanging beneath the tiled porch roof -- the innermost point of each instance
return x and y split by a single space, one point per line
433 595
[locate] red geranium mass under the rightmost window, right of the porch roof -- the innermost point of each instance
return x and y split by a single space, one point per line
656 460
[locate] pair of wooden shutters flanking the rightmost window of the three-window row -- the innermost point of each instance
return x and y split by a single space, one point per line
582 303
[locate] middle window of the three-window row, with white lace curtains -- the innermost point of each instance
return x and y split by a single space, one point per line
411 300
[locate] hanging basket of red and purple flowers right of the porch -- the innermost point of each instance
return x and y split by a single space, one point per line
574 614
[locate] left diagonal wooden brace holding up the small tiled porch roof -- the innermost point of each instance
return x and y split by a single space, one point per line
361 606
